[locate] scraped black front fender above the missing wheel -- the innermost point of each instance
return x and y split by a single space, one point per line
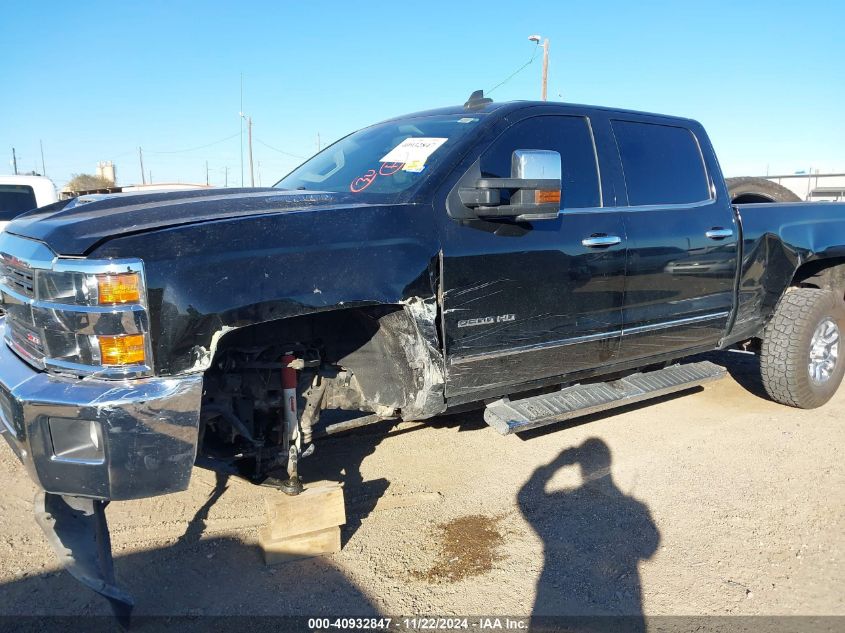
208 278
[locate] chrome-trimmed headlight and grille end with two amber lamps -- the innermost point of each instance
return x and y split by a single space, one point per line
78 316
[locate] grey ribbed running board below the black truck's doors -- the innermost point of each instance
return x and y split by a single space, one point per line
514 416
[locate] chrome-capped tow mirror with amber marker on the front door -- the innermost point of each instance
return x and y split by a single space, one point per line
531 193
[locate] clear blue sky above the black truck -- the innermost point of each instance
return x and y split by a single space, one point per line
94 81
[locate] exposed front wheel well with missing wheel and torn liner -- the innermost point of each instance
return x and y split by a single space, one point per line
380 359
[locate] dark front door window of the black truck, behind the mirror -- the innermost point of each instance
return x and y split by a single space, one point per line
570 136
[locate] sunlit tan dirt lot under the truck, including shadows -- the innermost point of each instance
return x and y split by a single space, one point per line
716 502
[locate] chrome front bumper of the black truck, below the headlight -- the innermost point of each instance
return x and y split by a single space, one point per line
148 429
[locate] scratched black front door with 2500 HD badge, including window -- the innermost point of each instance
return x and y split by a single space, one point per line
524 301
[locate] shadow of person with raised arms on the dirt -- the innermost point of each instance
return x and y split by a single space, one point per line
594 537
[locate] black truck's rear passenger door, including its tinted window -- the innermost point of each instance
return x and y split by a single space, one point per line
682 240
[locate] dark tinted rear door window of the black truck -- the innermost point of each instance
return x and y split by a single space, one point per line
662 164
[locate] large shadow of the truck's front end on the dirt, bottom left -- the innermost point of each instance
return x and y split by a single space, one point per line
214 584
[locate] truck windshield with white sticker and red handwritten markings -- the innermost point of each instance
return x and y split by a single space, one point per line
386 159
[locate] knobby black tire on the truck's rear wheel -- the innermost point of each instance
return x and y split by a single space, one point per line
786 352
